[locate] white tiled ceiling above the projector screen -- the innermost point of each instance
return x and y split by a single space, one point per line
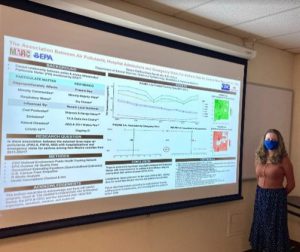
271 22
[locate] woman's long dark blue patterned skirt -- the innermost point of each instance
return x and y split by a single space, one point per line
269 231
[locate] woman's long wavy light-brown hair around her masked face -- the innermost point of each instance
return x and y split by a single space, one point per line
261 155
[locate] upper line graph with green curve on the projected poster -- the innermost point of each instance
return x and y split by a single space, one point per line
155 103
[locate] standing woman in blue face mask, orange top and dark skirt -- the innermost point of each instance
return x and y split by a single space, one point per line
275 179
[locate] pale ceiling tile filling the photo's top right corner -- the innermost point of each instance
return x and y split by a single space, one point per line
231 12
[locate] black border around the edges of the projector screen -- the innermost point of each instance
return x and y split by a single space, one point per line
115 29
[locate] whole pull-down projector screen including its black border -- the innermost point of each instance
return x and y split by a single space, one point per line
98 125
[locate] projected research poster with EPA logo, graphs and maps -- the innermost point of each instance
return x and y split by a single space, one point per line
78 125
